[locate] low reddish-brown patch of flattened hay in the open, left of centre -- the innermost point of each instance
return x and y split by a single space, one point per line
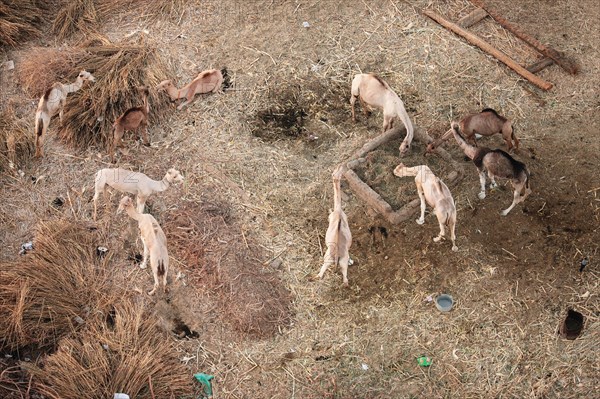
228 264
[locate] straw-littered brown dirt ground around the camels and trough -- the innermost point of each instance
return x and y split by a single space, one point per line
258 160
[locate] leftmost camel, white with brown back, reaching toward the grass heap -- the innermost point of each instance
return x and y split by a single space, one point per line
53 102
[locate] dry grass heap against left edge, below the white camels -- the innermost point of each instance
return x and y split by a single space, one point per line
44 291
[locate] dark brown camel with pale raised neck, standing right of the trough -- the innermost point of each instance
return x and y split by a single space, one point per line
498 164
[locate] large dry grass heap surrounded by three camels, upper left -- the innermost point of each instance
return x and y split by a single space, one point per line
119 69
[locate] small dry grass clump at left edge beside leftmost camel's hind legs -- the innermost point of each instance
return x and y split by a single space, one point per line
16 141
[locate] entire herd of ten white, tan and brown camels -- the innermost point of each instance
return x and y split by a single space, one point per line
370 90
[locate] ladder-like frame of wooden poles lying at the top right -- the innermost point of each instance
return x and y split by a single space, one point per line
483 10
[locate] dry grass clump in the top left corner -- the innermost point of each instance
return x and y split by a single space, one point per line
20 20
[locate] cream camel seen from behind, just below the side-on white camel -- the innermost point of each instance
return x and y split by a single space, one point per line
154 240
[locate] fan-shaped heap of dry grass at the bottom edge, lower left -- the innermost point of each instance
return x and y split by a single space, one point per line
126 352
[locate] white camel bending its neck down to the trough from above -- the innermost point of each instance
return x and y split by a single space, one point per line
371 90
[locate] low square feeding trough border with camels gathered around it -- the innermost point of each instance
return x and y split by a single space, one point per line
371 197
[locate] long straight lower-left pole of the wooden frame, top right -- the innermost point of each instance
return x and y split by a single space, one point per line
473 39
